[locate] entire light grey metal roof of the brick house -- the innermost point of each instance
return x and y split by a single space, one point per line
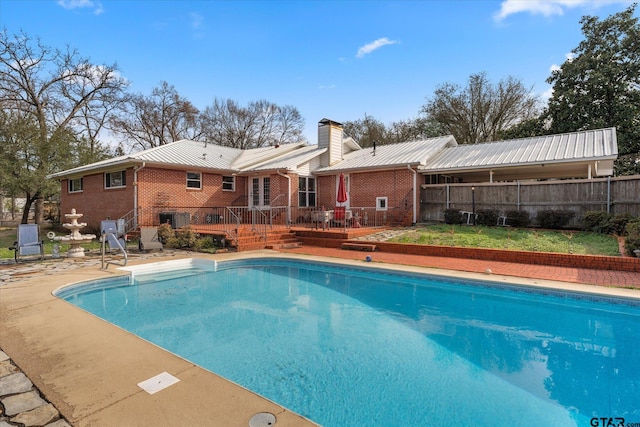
431 155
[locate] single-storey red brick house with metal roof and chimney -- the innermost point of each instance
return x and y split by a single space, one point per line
206 184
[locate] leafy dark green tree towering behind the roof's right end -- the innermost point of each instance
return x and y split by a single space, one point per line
599 86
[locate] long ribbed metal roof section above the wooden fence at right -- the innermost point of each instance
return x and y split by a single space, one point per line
575 146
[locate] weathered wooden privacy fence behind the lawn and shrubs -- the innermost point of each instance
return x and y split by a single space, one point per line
614 195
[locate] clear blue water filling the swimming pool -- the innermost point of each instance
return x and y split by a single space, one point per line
350 346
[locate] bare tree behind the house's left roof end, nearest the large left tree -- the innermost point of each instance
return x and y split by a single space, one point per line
150 121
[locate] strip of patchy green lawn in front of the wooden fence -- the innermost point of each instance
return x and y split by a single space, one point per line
575 242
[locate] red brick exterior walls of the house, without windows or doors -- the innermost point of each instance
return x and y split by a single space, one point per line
165 188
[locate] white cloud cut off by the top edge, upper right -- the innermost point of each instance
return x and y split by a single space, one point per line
548 7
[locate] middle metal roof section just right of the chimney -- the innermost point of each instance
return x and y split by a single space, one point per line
392 155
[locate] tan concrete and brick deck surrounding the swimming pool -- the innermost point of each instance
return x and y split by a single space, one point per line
89 369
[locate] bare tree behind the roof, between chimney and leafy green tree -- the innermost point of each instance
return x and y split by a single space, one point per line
481 110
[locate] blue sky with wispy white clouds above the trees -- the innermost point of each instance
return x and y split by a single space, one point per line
334 59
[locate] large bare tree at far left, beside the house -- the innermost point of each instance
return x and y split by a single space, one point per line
55 97
